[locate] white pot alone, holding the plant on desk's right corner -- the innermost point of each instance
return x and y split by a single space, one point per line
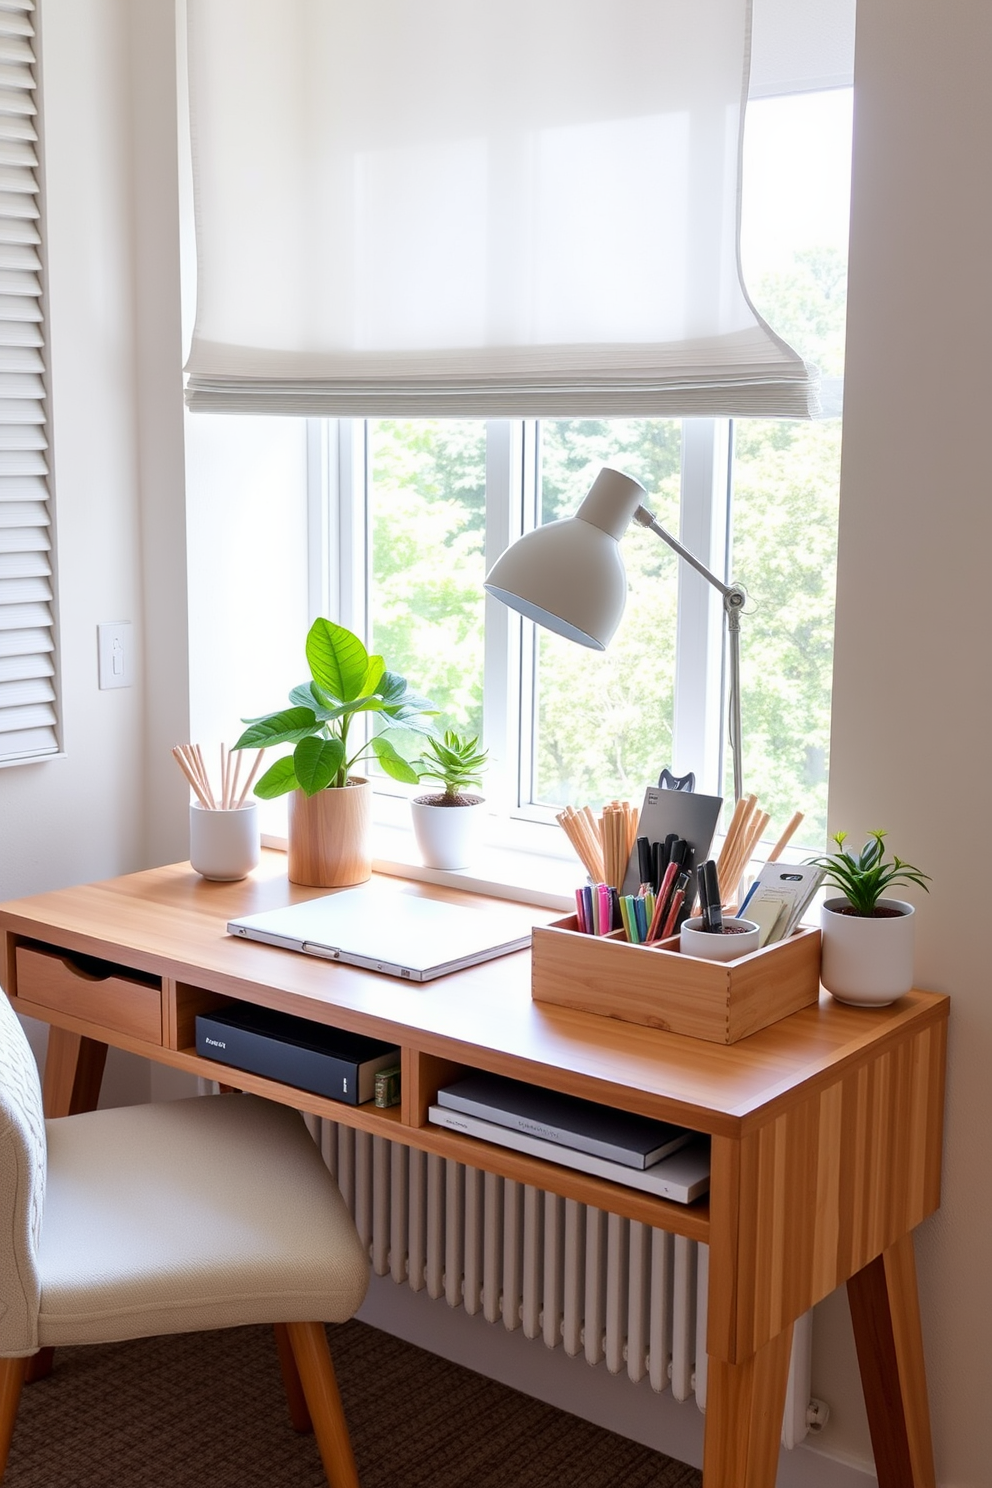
868 962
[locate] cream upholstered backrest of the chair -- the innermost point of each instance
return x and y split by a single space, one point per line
23 1170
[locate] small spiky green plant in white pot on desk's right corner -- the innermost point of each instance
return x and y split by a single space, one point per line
868 941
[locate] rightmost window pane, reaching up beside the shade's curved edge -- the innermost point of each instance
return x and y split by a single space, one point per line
786 477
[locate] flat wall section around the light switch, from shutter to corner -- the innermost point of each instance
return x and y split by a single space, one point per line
80 818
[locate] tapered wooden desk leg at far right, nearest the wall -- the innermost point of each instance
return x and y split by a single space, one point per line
887 1331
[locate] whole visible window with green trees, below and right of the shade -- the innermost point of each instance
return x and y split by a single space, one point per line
434 502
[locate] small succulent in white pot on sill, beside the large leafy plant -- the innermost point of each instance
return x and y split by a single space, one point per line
447 822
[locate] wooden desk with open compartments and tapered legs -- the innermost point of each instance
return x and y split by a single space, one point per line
826 1127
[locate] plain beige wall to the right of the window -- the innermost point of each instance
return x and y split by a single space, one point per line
912 716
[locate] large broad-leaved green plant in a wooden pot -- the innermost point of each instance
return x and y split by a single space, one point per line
331 809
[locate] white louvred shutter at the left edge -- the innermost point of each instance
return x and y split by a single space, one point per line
28 670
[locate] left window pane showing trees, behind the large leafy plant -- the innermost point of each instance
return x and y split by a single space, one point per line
426 606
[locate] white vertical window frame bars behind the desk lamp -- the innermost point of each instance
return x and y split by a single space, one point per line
340 584
